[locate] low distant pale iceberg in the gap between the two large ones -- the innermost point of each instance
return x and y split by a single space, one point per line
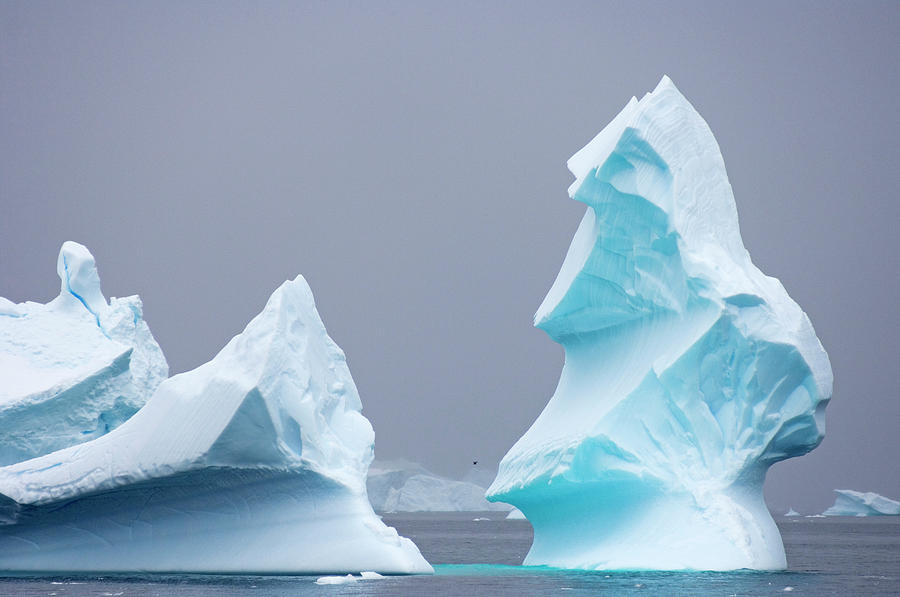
401 486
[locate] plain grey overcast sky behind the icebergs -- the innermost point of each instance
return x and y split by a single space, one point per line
409 160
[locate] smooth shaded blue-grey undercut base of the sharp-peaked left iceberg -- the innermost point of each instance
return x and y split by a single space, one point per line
209 521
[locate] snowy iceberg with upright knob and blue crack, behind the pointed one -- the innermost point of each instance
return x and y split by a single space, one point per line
75 368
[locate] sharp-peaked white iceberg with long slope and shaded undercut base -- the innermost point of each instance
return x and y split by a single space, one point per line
254 462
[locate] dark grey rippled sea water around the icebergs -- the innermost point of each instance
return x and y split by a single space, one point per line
826 556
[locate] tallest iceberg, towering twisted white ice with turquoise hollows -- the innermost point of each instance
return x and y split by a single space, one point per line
688 372
